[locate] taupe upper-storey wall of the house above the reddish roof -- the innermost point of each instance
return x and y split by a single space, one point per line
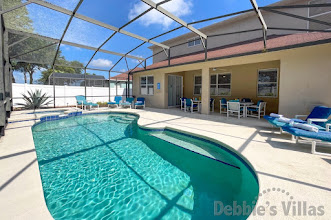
240 23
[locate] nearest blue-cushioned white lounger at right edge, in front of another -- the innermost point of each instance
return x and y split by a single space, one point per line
323 136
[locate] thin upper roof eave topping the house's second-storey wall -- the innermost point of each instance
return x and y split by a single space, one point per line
217 25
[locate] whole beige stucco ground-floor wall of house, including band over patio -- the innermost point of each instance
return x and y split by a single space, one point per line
304 77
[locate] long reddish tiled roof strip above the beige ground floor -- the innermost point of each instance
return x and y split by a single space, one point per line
251 47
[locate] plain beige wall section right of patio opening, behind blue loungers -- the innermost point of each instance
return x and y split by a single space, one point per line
305 80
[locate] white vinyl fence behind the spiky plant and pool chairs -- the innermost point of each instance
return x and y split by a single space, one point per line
65 95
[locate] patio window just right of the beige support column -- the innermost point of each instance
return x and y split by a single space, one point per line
220 84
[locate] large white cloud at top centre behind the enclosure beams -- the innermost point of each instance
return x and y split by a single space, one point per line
176 7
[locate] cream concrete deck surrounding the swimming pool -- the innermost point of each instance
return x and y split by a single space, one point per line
278 161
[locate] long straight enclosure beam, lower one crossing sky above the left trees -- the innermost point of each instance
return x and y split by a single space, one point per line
71 43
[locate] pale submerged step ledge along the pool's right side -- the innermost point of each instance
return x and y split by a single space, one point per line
191 147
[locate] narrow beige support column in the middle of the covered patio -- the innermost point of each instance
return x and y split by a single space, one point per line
205 91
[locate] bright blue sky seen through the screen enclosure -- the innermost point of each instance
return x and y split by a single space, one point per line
117 13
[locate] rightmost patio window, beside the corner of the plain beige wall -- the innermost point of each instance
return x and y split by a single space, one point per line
267 83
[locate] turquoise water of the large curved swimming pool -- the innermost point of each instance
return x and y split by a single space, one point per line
103 166
